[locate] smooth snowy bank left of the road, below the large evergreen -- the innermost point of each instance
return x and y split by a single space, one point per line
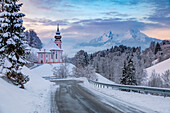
35 98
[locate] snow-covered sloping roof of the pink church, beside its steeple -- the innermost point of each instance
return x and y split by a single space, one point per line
50 46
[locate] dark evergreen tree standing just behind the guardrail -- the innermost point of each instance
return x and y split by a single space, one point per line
128 76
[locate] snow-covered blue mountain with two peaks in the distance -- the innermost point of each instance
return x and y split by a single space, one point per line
131 38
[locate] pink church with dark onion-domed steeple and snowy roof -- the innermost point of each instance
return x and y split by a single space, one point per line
52 52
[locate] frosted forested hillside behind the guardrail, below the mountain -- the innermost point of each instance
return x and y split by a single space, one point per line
115 63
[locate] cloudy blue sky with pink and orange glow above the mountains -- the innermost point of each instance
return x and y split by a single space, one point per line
83 20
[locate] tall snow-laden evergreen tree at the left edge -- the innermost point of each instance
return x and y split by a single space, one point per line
11 41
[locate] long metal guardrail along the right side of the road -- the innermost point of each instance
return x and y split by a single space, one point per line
141 89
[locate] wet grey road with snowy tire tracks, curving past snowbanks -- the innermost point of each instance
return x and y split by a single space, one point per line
71 97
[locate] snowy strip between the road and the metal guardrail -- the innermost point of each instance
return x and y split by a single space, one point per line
142 101
